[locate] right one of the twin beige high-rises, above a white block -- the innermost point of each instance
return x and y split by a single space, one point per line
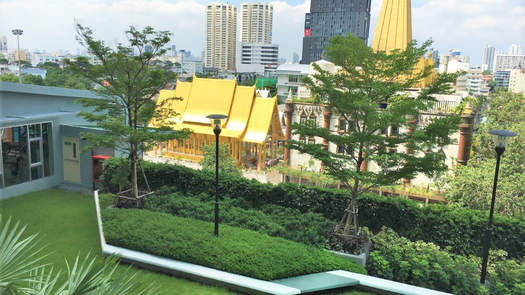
256 22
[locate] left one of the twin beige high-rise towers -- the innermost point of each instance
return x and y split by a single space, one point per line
221 31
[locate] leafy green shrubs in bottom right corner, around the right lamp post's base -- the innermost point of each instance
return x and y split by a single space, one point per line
426 265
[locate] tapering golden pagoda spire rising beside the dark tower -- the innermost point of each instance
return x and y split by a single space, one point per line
394 26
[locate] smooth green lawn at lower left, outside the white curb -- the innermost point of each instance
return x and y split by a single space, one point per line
67 225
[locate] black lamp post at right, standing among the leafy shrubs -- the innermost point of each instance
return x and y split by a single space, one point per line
501 140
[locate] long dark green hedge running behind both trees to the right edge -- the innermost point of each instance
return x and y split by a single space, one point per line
461 229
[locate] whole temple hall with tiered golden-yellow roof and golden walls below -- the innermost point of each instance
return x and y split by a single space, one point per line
252 129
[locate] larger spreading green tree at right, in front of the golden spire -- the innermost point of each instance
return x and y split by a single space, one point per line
366 80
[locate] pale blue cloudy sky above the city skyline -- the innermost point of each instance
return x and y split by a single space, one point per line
466 25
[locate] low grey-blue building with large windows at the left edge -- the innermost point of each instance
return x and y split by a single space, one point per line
41 144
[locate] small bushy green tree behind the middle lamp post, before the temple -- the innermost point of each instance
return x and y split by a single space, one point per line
226 162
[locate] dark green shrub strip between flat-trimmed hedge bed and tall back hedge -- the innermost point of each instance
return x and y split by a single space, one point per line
307 228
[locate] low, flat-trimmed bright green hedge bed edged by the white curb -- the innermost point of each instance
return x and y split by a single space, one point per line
236 250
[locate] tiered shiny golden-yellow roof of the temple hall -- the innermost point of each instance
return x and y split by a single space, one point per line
249 115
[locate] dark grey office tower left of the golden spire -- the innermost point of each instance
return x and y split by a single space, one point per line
328 18
